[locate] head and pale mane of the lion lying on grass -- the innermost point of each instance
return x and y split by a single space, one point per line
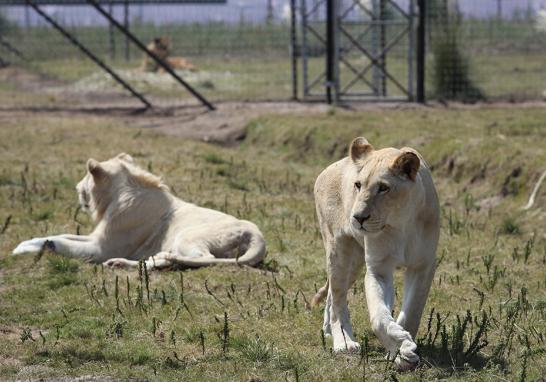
105 181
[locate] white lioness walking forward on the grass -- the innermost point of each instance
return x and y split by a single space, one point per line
379 208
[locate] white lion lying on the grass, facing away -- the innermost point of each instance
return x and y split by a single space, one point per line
138 218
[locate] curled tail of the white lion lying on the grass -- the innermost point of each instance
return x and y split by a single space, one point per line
252 240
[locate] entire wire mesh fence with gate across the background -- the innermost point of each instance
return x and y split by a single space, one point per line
487 49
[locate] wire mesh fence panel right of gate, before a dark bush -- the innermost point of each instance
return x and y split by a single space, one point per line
487 49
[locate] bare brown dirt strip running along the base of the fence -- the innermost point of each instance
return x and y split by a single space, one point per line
225 125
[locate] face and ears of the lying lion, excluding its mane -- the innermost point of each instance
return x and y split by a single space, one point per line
96 189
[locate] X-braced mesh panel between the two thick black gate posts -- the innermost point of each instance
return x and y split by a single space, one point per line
376 49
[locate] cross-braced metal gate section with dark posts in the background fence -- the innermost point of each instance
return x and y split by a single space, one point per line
346 44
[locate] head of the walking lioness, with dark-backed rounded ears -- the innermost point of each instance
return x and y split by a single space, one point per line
382 186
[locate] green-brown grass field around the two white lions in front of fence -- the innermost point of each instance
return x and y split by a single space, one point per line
485 319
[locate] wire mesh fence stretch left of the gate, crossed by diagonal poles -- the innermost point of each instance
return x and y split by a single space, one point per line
225 51
